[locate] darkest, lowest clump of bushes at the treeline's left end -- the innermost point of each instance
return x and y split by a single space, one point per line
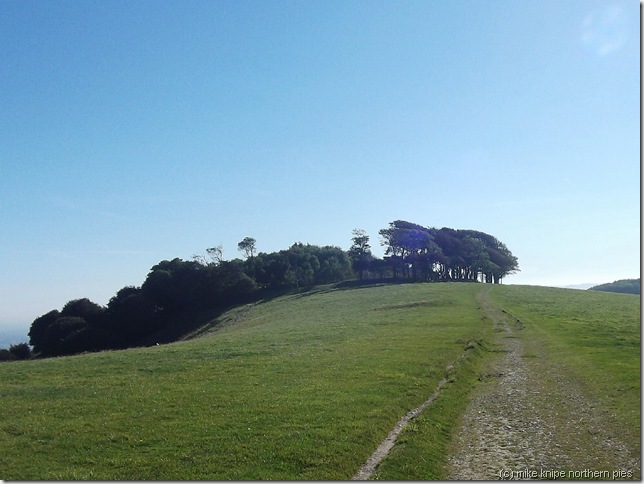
136 316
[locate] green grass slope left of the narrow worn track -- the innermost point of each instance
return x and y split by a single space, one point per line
301 387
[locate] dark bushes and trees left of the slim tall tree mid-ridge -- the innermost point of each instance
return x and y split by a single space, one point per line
175 291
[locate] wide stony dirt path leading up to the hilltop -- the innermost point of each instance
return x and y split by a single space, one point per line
529 420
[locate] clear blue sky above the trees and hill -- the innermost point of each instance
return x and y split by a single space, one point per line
132 132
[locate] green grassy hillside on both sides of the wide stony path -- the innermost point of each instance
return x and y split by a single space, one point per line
301 387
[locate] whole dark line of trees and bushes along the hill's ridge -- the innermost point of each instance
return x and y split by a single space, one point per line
175 292
